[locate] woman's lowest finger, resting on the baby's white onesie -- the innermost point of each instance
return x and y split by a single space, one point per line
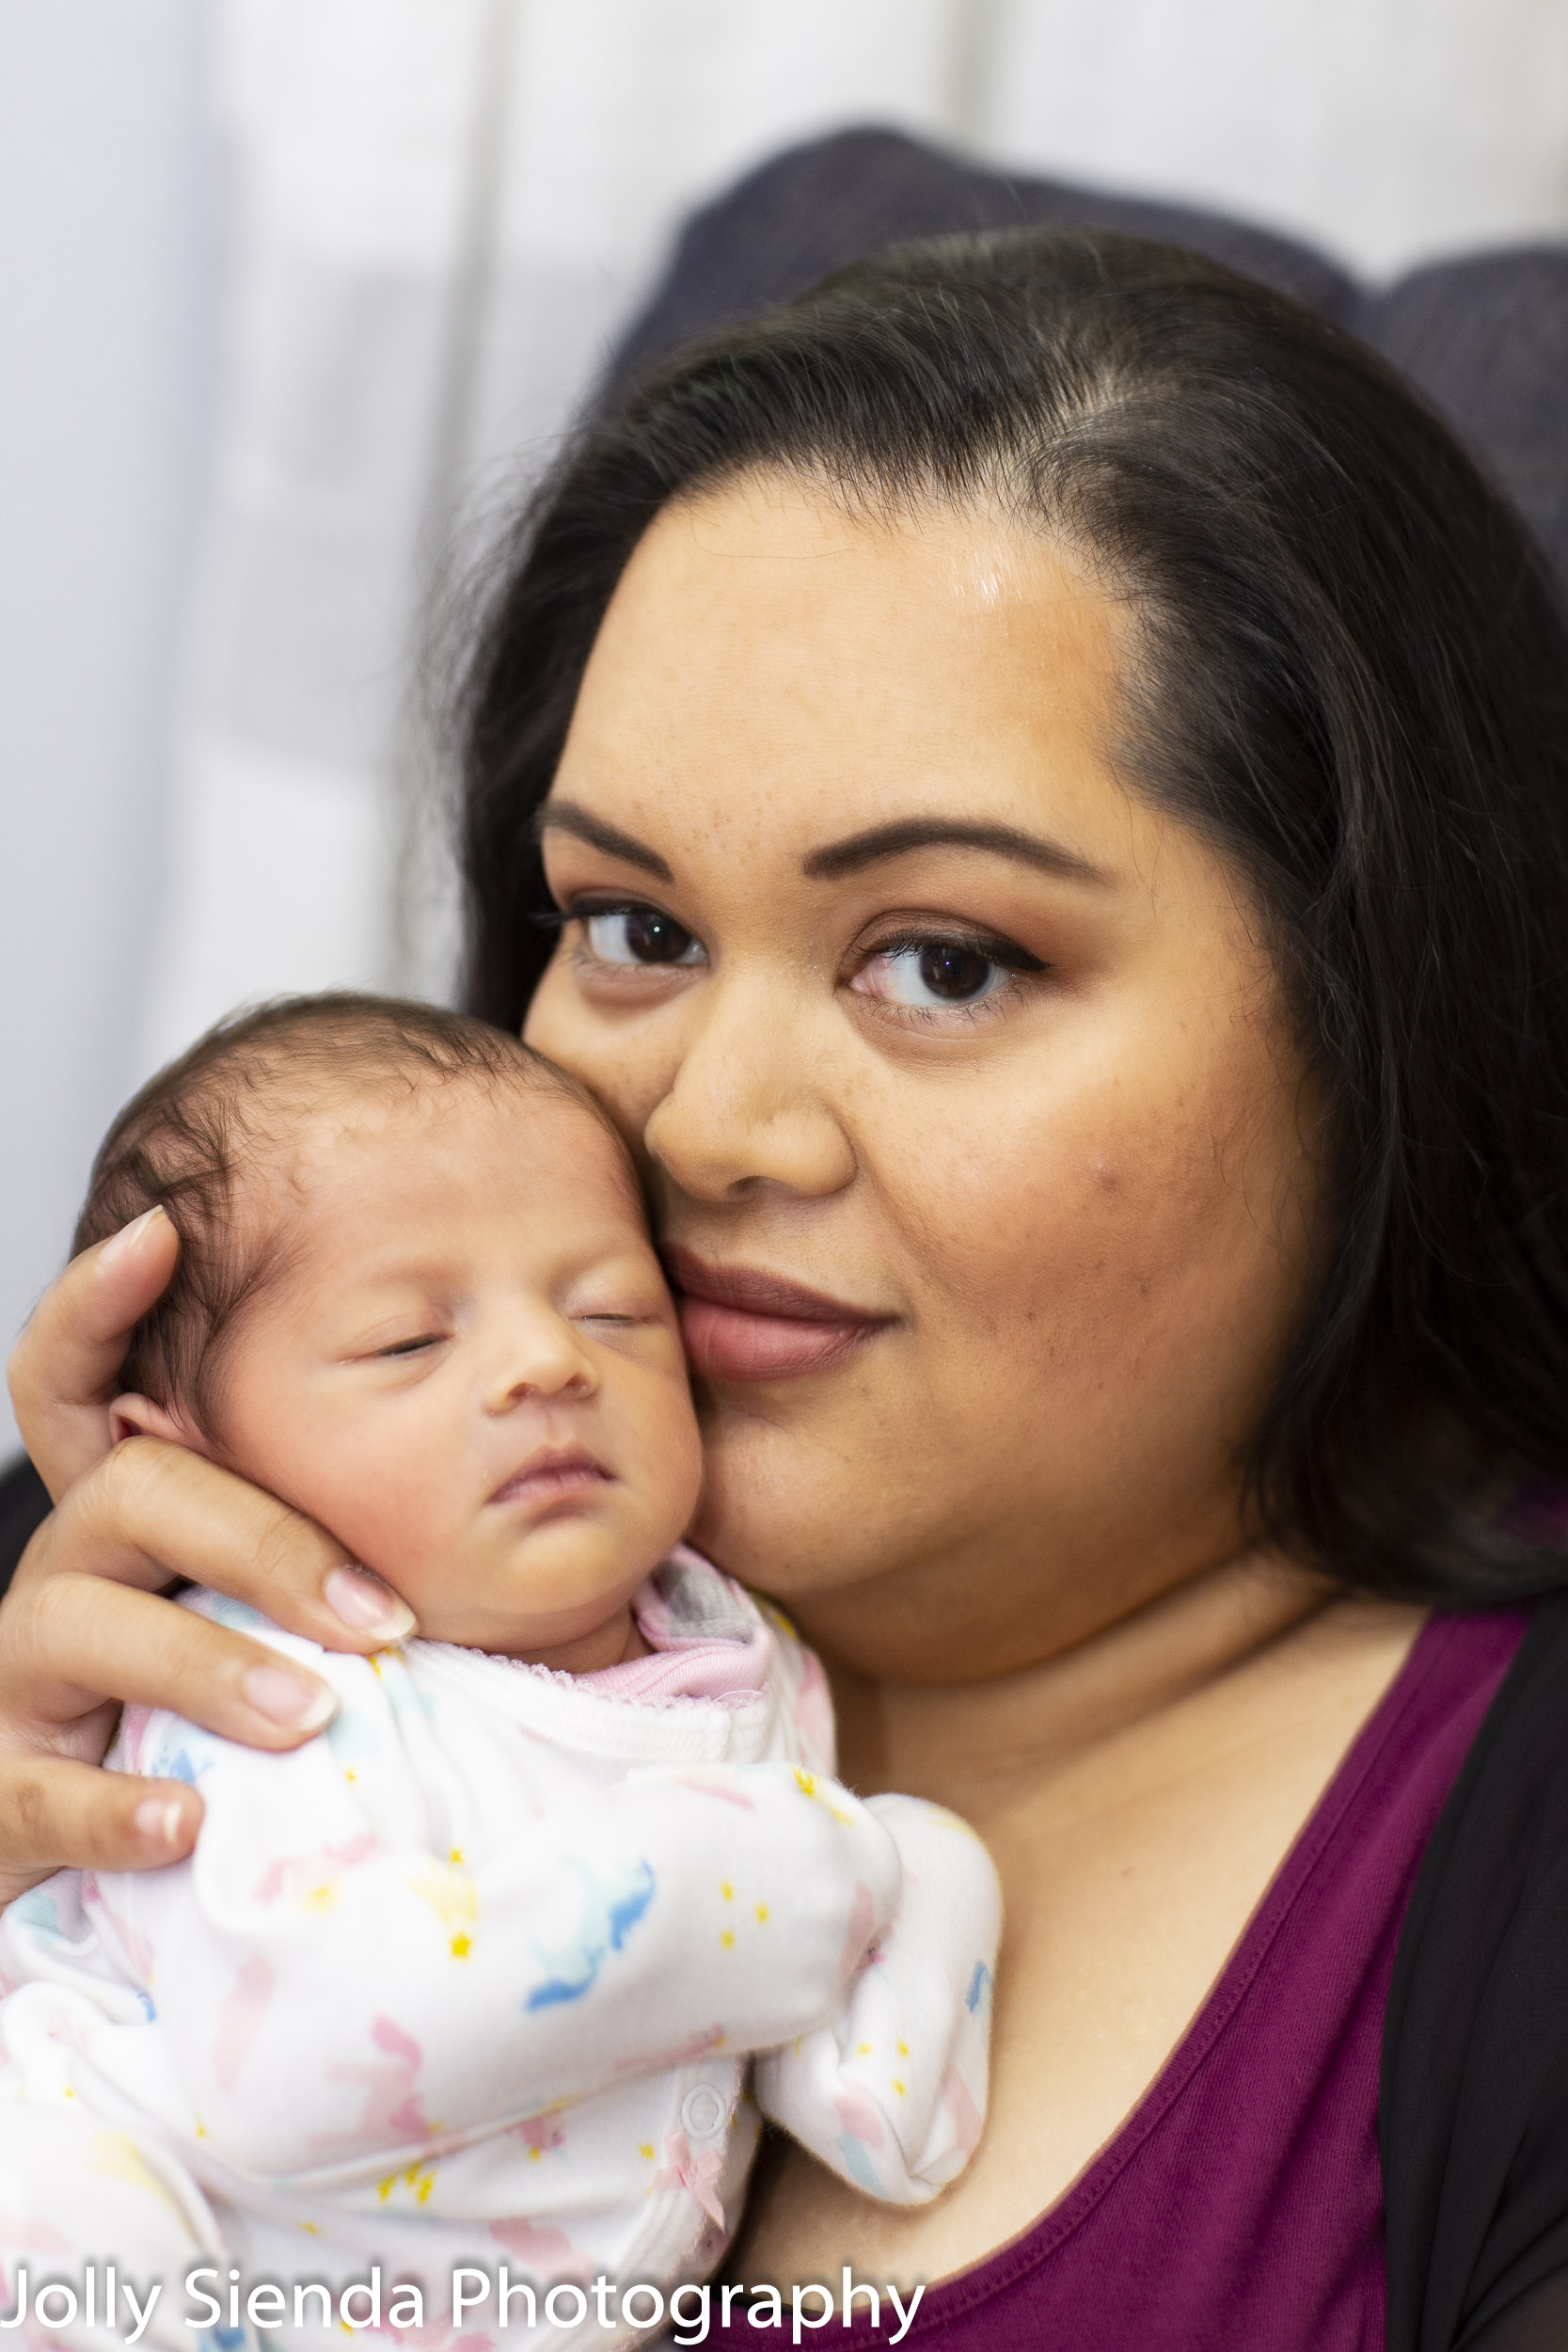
65 1815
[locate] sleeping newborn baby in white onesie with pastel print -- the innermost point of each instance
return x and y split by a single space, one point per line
474 1977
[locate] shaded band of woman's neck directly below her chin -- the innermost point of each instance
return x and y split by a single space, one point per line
965 1744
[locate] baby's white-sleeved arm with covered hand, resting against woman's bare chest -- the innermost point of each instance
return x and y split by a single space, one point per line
892 2090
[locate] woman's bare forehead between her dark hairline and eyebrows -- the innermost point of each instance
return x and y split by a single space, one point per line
775 657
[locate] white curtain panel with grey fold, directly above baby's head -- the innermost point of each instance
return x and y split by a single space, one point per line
445 213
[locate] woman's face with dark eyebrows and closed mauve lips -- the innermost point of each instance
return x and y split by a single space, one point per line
909 1003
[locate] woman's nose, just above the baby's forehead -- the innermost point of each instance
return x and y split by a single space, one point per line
746 1109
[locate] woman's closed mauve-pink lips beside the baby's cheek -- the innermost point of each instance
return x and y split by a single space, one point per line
749 1325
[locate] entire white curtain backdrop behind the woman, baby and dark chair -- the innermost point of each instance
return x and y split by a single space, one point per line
297 293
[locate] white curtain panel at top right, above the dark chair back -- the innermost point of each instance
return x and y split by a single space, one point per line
1386 131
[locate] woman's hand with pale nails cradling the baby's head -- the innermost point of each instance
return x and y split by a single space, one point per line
86 1629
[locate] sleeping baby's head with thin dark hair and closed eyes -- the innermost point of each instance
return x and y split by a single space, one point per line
415 1299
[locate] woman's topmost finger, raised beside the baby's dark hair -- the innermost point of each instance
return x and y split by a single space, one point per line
67 1365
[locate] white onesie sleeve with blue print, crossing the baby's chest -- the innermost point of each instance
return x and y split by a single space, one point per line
335 1984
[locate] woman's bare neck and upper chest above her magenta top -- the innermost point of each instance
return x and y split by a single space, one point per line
1139 1796
